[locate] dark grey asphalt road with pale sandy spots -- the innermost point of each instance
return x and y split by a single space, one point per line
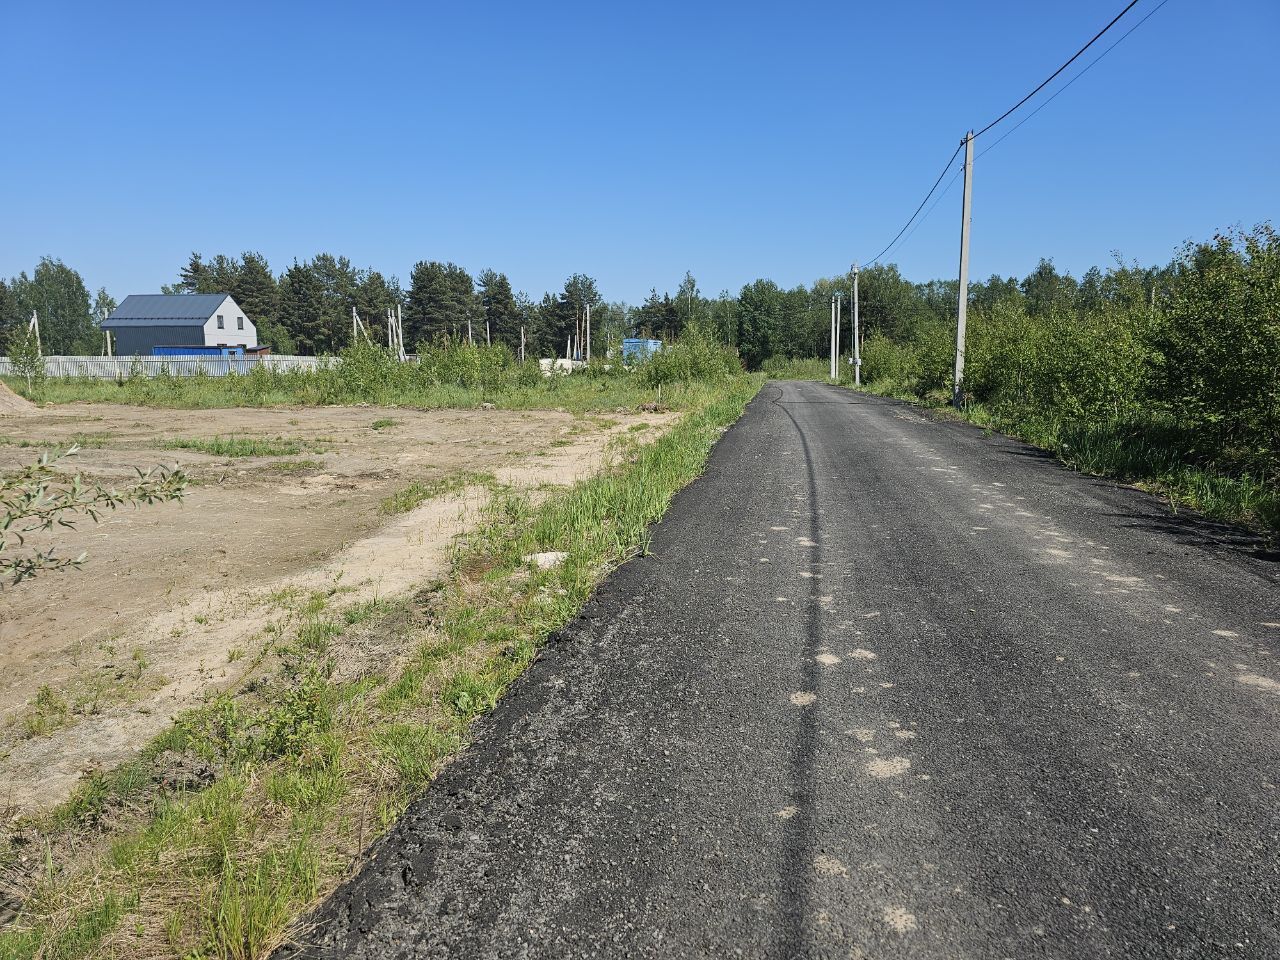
885 688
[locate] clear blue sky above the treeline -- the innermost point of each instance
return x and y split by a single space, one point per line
630 143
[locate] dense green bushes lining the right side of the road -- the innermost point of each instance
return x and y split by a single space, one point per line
1169 378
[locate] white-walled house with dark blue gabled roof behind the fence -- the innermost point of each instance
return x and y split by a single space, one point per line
159 324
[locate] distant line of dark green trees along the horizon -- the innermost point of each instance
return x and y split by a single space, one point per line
308 308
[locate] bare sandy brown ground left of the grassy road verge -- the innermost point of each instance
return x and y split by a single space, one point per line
98 661
